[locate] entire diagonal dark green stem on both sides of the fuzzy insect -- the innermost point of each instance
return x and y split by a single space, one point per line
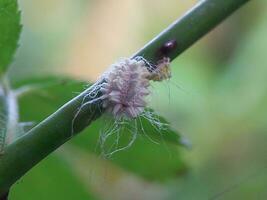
22 155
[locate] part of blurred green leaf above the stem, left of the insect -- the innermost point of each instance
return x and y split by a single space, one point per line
46 95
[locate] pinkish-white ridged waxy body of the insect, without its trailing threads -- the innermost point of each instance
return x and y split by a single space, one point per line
126 88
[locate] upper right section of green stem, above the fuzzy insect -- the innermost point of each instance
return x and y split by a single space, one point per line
197 22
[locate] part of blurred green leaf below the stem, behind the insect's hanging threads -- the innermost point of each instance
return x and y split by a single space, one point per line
149 149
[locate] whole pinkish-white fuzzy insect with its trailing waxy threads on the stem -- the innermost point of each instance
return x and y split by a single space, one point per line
123 92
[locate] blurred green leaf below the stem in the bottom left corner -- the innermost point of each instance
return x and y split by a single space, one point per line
51 179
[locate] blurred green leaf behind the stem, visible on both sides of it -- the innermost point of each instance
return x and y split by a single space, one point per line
154 146
